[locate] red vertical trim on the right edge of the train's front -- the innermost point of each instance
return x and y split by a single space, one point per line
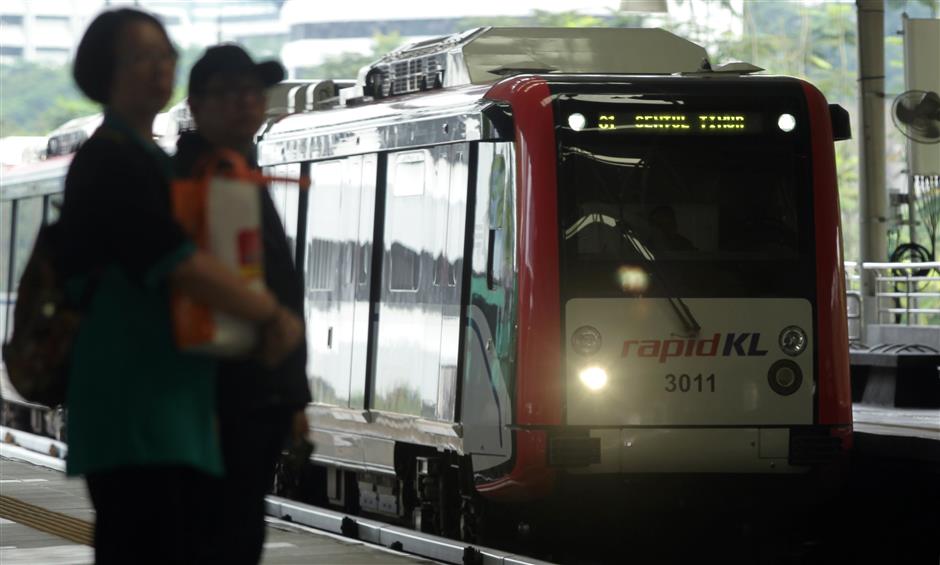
835 396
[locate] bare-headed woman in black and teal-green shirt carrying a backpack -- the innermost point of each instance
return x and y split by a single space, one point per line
141 414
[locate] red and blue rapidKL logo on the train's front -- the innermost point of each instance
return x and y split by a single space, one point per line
726 345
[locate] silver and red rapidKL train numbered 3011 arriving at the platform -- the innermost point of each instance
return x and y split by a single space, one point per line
538 258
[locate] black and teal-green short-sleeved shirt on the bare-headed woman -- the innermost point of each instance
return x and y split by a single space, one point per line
134 399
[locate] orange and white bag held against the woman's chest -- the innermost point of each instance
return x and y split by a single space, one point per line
221 211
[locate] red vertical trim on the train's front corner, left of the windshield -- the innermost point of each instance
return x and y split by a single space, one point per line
538 367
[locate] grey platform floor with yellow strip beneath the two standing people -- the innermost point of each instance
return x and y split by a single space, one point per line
47 518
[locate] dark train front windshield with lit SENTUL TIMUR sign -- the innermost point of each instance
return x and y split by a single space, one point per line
684 196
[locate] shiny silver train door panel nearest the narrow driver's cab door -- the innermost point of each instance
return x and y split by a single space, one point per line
419 310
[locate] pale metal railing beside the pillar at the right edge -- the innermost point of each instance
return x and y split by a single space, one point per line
905 294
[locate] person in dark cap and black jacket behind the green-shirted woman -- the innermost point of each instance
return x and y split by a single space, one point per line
259 408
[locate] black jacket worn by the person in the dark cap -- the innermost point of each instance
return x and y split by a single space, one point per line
246 384
